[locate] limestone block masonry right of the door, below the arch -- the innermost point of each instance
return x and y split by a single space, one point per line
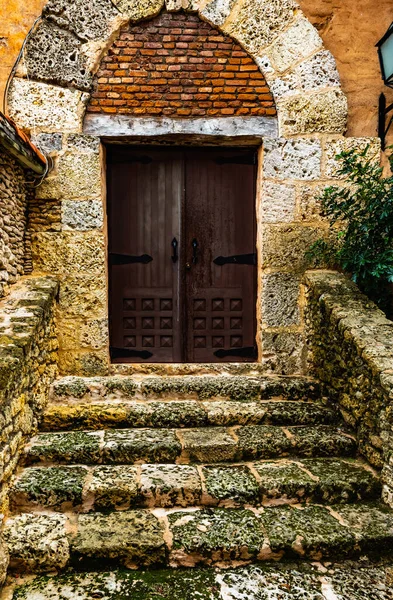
293 174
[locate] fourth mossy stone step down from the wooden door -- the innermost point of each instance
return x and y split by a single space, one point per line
121 487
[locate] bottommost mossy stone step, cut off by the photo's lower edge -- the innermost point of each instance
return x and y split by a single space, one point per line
293 581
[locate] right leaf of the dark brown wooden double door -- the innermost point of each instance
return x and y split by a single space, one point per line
220 216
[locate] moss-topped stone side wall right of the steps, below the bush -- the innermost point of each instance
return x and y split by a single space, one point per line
350 344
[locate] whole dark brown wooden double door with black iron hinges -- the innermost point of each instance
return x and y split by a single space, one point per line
182 254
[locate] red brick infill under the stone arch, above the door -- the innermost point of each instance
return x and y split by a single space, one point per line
177 65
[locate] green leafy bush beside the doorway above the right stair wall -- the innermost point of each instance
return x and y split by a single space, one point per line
360 213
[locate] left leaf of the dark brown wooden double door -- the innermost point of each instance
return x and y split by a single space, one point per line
144 201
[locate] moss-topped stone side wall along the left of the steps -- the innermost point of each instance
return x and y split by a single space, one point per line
28 355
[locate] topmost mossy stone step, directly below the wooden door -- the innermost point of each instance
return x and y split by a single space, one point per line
232 387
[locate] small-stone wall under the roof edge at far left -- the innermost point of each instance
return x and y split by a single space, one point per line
13 208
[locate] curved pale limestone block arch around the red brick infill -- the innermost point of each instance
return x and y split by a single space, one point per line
52 83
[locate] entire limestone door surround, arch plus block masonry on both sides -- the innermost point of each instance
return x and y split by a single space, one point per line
50 96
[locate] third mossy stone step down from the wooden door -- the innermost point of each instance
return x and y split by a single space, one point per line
204 445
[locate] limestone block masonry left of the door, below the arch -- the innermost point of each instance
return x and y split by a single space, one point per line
66 225
